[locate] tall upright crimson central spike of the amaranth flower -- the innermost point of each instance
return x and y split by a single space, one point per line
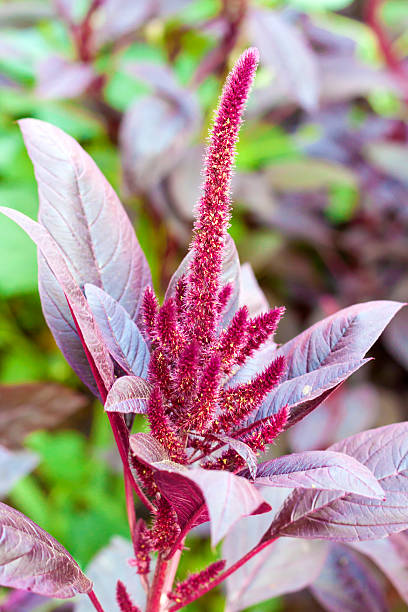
213 211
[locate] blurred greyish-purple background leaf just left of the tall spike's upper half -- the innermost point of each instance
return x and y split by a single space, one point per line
154 133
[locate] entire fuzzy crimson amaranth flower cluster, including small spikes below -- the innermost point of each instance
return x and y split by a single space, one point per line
192 404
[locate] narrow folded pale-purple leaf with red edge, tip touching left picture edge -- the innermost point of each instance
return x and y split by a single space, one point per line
71 293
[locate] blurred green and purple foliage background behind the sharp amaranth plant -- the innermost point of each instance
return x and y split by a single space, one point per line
320 210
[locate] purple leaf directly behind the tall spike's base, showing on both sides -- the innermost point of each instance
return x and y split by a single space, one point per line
231 273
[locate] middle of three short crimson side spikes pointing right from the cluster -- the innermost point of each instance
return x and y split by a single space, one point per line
237 403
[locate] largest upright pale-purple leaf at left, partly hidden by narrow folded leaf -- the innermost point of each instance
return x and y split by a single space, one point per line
83 214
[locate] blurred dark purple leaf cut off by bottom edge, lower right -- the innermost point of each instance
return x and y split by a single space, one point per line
346 583
